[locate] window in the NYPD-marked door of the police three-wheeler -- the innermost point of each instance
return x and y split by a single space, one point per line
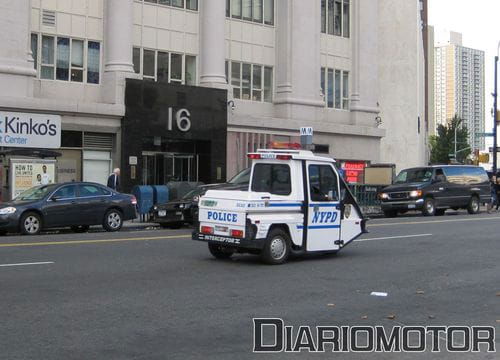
322 180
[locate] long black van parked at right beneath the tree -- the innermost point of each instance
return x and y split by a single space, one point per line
434 189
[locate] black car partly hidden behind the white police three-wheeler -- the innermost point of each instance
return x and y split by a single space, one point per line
185 210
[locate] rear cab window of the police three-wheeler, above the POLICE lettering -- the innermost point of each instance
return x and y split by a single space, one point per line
272 178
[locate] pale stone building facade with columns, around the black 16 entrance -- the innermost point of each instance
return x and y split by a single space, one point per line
329 64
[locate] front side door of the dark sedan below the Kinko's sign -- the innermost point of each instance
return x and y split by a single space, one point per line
61 208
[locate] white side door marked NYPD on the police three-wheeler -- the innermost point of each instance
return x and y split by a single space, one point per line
324 211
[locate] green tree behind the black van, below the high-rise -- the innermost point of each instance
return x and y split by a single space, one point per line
442 145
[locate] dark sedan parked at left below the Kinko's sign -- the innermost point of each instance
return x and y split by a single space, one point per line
77 205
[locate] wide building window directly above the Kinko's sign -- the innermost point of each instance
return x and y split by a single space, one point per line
66 59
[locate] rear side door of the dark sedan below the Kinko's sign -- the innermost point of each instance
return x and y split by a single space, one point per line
94 200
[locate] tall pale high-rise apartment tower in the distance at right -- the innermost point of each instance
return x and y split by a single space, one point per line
460 87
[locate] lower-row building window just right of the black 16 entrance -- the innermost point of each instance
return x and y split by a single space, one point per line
250 81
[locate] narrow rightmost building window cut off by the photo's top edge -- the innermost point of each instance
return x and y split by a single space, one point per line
335 17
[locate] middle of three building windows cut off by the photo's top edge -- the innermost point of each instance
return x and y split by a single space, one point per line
259 11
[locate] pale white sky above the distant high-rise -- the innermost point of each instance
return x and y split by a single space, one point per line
479 23
